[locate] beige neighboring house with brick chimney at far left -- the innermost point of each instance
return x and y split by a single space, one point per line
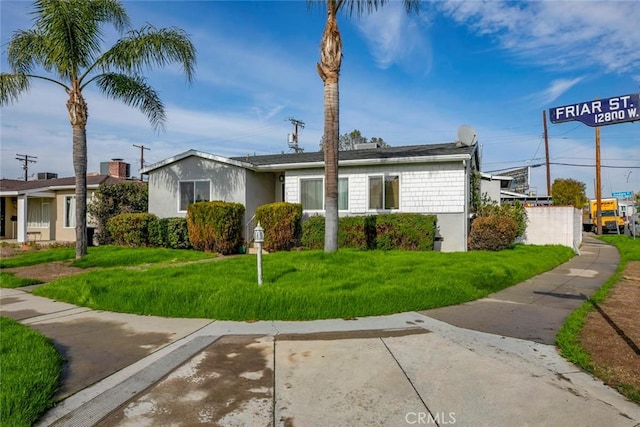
44 209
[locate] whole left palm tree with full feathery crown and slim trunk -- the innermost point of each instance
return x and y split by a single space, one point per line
65 42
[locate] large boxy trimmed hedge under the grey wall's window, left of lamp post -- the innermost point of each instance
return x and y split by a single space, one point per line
215 226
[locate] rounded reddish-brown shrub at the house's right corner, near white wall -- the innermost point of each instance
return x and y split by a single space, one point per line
492 233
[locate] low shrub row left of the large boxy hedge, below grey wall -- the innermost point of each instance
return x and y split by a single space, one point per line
145 229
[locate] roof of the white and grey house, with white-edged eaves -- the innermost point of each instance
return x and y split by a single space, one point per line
404 154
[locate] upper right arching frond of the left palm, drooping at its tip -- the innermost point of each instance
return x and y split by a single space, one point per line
149 47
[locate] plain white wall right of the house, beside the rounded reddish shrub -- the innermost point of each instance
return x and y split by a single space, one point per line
554 225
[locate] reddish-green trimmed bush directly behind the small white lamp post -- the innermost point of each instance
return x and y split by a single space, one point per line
282 225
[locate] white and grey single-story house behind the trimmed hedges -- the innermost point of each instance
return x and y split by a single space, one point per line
426 179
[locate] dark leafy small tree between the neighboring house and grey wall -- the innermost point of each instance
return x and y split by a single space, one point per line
111 200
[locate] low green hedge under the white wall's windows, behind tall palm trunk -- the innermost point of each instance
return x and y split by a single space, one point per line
388 231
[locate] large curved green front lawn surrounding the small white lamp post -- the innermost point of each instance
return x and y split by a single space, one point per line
306 285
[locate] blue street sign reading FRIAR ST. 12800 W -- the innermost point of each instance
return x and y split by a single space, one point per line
600 112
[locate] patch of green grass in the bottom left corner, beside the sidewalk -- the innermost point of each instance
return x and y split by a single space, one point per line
30 368
